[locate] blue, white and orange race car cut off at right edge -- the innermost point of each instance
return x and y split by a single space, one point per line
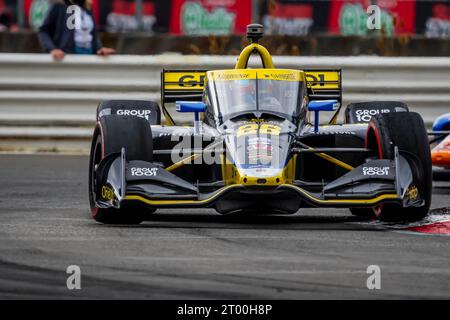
440 154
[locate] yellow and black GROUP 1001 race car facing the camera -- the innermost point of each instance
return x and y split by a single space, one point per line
257 145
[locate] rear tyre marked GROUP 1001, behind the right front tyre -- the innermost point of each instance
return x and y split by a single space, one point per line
362 112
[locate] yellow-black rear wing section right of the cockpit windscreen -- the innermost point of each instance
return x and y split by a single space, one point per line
325 84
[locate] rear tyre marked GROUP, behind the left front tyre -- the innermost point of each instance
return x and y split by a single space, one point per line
148 110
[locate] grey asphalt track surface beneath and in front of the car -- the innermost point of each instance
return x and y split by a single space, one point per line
197 254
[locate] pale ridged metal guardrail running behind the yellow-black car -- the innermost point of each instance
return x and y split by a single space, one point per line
43 99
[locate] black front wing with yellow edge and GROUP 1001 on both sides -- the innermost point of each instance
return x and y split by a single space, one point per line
368 185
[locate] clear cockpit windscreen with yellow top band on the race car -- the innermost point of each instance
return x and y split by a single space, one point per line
278 92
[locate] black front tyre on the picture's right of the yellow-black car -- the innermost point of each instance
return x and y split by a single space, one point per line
407 131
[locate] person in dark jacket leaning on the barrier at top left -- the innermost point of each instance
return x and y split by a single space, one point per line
59 35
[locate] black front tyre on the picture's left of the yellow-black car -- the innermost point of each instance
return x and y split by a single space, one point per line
111 134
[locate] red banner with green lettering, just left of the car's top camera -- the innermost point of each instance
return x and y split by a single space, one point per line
210 17
